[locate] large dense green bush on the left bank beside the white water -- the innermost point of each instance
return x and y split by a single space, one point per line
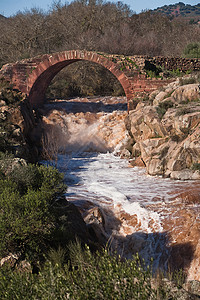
26 216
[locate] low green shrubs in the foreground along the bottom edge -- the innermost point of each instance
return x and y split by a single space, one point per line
99 276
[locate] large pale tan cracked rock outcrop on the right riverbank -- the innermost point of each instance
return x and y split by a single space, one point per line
165 132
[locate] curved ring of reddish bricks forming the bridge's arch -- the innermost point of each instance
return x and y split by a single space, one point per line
40 76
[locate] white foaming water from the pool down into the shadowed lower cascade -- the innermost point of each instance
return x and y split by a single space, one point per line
109 182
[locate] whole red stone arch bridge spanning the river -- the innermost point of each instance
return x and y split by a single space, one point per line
33 76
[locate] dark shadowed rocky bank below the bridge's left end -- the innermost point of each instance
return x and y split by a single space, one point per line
17 124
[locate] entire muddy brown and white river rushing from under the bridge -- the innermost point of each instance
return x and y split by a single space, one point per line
135 212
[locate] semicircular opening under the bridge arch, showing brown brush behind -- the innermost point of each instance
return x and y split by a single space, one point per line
84 79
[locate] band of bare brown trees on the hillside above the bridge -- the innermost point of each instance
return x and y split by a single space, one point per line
93 25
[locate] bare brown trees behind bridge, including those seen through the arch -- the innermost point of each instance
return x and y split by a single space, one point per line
96 25
